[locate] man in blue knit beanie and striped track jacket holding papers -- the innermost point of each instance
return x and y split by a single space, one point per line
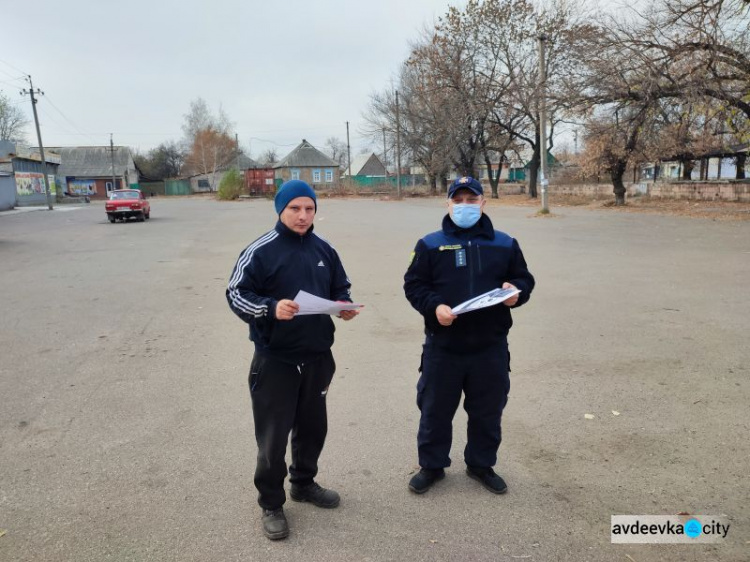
292 365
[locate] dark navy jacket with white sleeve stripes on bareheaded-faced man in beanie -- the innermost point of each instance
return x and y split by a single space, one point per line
274 267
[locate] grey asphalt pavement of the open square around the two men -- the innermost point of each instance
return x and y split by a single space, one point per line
125 423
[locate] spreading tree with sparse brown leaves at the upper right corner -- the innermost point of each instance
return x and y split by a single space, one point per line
662 81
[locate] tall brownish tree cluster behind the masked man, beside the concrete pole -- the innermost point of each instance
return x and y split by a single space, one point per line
469 87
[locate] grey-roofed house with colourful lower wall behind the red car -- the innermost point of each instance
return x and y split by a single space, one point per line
96 170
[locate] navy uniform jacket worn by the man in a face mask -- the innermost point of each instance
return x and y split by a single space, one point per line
453 265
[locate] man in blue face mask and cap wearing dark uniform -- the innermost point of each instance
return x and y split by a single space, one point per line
467 353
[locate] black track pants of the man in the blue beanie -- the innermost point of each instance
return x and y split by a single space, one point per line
288 398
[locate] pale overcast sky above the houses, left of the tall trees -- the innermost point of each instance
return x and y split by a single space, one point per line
282 70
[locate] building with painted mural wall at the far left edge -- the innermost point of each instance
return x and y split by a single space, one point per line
23 175
